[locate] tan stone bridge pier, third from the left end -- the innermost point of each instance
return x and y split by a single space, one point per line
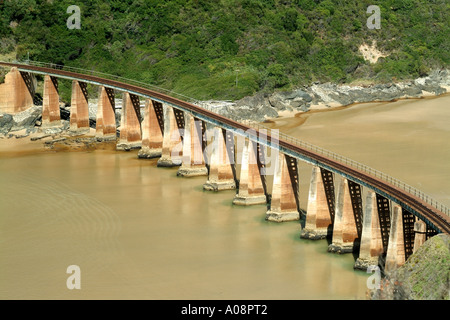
79 108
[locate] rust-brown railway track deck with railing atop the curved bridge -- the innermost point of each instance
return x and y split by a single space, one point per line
424 206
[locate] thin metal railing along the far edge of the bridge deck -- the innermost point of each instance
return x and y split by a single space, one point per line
282 136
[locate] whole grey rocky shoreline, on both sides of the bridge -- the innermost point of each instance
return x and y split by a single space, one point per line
257 108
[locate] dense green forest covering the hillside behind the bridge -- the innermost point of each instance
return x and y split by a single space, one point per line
228 49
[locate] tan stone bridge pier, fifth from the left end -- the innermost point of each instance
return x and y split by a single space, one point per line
130 126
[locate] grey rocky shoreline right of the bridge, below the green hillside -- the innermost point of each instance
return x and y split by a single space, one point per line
261 107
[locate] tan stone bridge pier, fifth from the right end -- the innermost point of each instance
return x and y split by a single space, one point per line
320 210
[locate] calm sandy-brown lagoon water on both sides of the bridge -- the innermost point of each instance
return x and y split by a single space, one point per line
140 232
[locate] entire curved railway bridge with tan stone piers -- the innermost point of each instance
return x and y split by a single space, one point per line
391 222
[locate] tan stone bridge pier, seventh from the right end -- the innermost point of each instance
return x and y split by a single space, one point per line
251 185
